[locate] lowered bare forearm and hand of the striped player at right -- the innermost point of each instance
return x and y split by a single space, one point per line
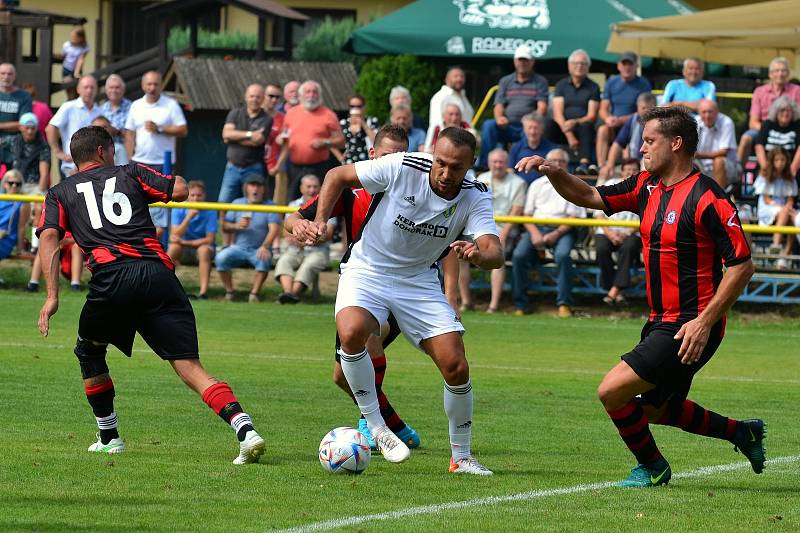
694 334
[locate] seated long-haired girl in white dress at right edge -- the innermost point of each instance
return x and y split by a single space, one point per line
777 193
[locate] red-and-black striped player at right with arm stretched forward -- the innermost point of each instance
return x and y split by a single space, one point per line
689 230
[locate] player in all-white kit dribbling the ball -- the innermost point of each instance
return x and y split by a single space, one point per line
422 206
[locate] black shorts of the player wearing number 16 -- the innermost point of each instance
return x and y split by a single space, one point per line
143 296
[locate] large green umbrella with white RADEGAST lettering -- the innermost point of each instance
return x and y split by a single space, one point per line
494 28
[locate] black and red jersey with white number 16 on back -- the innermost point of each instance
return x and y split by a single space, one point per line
106 209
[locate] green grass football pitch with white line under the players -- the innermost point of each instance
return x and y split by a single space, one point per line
537 424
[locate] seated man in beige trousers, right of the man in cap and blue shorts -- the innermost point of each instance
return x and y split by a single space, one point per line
299 266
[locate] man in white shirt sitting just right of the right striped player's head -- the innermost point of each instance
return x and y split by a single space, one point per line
716 147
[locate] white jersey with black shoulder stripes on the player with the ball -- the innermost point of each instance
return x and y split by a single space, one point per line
408 226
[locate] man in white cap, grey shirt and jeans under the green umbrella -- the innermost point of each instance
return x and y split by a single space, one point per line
518 94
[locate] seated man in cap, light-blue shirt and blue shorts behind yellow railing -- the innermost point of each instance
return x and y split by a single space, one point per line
254 235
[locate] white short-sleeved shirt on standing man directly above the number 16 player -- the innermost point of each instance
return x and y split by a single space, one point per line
151 147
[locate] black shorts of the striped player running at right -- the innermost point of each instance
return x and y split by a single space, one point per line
655 360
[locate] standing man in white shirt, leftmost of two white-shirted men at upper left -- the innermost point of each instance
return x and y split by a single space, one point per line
70 117
